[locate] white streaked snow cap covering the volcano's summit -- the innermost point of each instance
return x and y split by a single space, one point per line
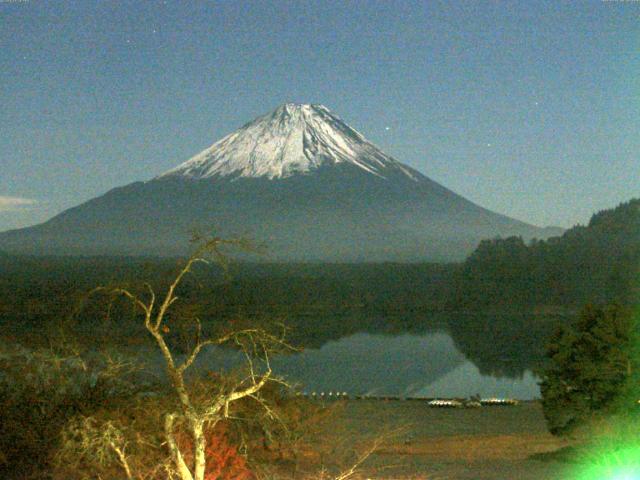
293 139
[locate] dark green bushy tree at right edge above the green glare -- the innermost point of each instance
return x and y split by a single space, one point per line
590 365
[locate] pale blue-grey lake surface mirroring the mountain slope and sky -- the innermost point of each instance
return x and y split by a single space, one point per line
408 365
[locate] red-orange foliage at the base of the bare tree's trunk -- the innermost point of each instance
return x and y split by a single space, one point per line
224 462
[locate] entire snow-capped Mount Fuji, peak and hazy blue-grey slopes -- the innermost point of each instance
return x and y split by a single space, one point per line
299 180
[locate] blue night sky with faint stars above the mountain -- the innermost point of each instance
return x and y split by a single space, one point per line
528 108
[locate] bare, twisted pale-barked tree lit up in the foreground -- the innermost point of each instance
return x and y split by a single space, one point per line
194 413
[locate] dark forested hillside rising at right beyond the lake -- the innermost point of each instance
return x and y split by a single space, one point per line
594 263
